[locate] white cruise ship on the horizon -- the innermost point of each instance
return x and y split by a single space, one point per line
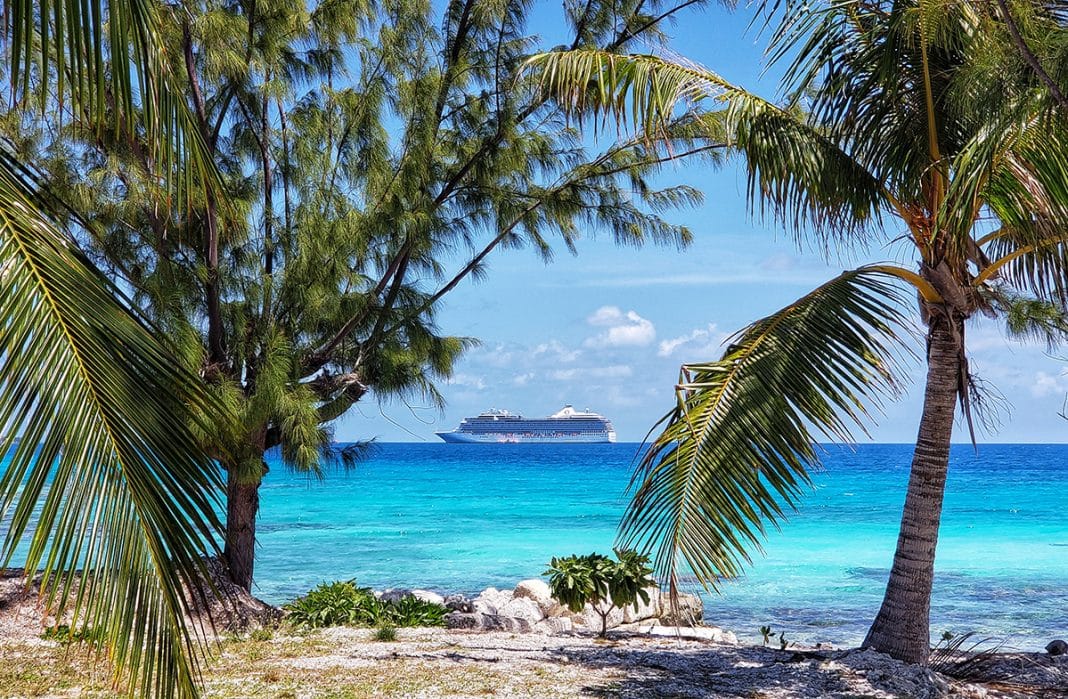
568 426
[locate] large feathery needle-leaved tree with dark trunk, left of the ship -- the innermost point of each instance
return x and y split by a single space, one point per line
371 159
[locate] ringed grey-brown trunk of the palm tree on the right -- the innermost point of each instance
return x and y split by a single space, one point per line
903 626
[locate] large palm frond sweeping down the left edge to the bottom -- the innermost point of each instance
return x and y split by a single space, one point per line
106 494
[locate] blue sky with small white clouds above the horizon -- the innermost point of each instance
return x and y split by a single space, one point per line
609 329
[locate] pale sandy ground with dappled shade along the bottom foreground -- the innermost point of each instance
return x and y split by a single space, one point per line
345 662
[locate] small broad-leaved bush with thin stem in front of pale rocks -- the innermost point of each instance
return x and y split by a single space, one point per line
601 582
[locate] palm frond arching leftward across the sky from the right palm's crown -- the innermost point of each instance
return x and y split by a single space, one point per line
796 174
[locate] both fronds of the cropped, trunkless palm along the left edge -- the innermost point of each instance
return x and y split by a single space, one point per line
106 490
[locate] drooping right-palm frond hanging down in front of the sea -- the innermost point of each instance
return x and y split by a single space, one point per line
735 452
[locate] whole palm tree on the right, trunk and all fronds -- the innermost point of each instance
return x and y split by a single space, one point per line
921 125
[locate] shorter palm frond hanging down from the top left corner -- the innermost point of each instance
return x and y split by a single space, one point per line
105 64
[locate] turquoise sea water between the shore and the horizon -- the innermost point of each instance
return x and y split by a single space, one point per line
456 518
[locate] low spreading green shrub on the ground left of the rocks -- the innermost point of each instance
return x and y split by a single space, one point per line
344 604
